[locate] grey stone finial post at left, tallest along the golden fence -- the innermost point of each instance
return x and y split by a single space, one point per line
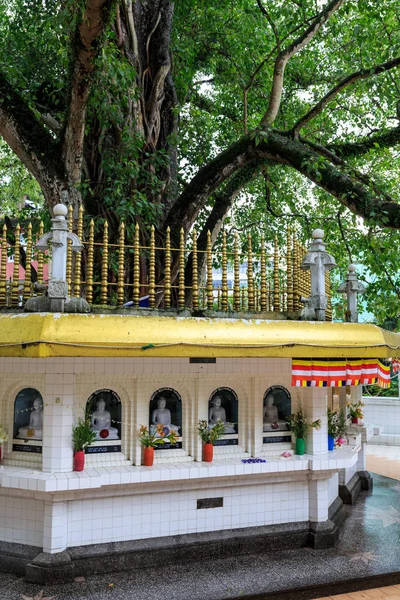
57 299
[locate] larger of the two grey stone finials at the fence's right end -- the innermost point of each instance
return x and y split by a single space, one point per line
317 261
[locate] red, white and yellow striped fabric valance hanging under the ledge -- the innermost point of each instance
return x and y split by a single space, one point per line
337 373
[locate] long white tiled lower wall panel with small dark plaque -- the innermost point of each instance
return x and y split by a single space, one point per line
161 514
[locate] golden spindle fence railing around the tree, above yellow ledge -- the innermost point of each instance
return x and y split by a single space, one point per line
232 280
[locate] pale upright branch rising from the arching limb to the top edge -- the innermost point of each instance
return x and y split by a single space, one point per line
285 55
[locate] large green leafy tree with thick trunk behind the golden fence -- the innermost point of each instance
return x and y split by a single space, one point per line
167 114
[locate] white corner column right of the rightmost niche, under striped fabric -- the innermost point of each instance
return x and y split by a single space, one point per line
314 401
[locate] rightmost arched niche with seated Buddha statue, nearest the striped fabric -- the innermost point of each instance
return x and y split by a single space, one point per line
277 407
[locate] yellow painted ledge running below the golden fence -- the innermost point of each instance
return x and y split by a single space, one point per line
45 335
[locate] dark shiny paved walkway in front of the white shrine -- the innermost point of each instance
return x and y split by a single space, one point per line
368 552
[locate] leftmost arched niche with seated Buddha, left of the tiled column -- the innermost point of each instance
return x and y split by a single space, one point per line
28 421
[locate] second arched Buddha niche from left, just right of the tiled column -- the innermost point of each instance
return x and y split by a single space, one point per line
104 410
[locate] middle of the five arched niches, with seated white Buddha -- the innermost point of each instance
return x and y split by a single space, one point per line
165 409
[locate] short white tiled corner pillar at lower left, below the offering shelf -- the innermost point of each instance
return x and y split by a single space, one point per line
55 531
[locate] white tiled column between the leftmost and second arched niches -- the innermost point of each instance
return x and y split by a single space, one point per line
58 418
